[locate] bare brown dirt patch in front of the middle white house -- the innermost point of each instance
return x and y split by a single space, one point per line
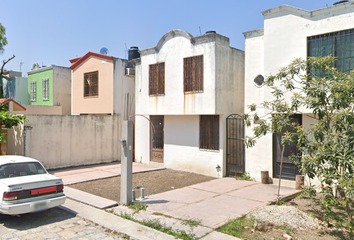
153 182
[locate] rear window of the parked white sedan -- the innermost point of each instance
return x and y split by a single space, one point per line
21 169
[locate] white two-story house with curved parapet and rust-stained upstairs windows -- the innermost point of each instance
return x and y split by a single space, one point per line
186 87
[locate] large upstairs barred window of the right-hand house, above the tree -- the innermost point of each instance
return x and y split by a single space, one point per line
338 44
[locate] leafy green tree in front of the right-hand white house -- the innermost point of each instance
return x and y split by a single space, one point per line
327 146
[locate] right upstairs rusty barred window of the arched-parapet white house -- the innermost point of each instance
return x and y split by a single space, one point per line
193 74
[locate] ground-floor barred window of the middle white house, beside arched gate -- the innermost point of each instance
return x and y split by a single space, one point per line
209 132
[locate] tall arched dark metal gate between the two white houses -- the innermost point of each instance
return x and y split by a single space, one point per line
235 147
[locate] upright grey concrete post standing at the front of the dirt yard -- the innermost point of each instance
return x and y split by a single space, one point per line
126 163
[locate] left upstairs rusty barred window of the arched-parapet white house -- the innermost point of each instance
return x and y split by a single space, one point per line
157 79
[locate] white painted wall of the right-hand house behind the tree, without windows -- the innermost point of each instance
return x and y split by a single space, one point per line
283 39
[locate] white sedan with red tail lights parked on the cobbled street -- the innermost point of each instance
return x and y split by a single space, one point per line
25 186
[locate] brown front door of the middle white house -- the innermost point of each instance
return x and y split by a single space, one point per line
156 139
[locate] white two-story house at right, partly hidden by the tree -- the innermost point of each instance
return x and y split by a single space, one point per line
291 33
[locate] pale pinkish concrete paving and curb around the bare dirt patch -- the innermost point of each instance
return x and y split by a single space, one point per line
211 203
